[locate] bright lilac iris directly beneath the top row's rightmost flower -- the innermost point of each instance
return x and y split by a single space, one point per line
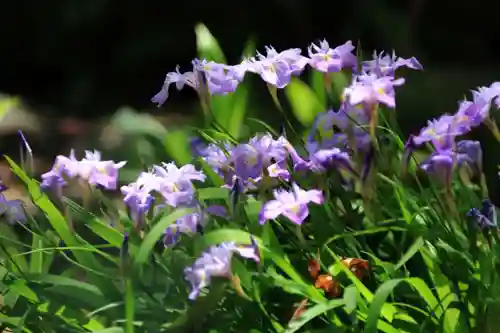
370 89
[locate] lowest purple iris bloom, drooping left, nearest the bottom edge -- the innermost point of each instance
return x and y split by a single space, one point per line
216 262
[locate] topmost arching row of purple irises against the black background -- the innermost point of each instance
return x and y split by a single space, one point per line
374 83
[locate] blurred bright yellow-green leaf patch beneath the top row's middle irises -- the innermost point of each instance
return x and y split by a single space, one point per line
303 101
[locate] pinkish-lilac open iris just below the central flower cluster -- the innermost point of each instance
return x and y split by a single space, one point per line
291 204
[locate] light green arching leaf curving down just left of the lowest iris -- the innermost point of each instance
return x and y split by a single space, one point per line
156 233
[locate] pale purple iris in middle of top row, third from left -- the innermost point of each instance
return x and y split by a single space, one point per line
277 68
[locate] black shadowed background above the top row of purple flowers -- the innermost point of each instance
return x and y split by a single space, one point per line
85 58
